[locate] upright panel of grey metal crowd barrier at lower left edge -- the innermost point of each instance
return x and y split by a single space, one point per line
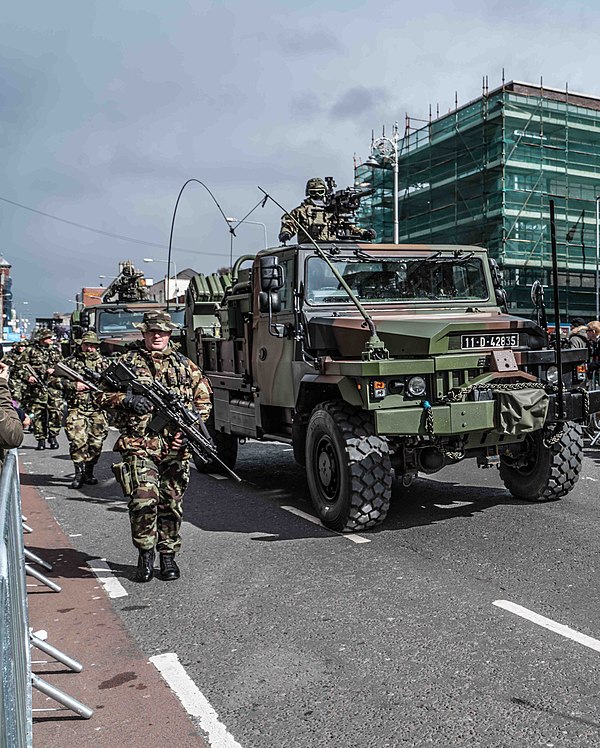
15 658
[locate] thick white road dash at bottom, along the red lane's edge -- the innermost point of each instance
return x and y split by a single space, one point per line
193 700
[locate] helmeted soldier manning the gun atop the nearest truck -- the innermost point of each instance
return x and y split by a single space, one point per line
314 220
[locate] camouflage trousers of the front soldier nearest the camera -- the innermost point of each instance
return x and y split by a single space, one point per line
156 501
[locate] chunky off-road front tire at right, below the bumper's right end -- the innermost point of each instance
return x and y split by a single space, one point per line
551 472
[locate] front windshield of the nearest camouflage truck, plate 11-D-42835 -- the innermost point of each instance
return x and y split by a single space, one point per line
436 277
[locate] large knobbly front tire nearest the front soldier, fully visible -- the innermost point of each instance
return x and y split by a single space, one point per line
348 468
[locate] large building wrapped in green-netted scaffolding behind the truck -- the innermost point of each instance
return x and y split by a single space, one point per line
484 174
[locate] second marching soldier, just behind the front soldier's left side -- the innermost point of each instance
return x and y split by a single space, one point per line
87 425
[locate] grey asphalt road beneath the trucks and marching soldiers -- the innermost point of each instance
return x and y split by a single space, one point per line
299 637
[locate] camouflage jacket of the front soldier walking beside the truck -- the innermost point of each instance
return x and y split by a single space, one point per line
178 374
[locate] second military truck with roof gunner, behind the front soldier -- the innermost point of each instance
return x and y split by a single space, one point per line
122 307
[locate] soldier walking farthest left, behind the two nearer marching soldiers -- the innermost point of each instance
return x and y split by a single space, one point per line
44 398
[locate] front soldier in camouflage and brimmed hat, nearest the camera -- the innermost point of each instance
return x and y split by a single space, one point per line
155 470
